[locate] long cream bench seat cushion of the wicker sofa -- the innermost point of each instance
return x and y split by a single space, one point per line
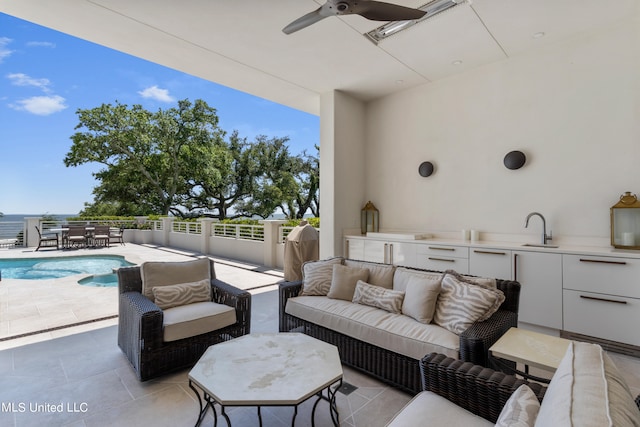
394 332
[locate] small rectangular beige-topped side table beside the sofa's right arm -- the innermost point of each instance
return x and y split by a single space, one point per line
531 349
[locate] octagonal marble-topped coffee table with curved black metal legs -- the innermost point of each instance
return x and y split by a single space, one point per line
284 369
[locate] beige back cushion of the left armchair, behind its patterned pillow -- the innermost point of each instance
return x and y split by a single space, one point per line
158 273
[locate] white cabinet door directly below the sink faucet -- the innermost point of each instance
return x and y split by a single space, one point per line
540 277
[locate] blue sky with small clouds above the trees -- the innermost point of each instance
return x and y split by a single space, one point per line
46 76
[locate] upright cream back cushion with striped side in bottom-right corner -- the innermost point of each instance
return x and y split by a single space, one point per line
587 390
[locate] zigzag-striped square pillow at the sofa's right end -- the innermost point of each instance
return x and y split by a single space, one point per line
460 304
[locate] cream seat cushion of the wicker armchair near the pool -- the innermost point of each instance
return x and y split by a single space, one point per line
194 319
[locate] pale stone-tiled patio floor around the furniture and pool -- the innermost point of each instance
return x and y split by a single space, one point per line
83 369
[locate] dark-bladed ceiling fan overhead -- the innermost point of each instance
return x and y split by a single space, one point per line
374 10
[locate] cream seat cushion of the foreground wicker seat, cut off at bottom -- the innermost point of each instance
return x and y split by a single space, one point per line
433 410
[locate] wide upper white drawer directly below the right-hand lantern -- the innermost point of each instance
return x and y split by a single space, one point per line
607 275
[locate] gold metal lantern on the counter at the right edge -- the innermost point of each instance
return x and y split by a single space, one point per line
625 222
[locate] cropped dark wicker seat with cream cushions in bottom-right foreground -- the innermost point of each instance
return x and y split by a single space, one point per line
586 390
